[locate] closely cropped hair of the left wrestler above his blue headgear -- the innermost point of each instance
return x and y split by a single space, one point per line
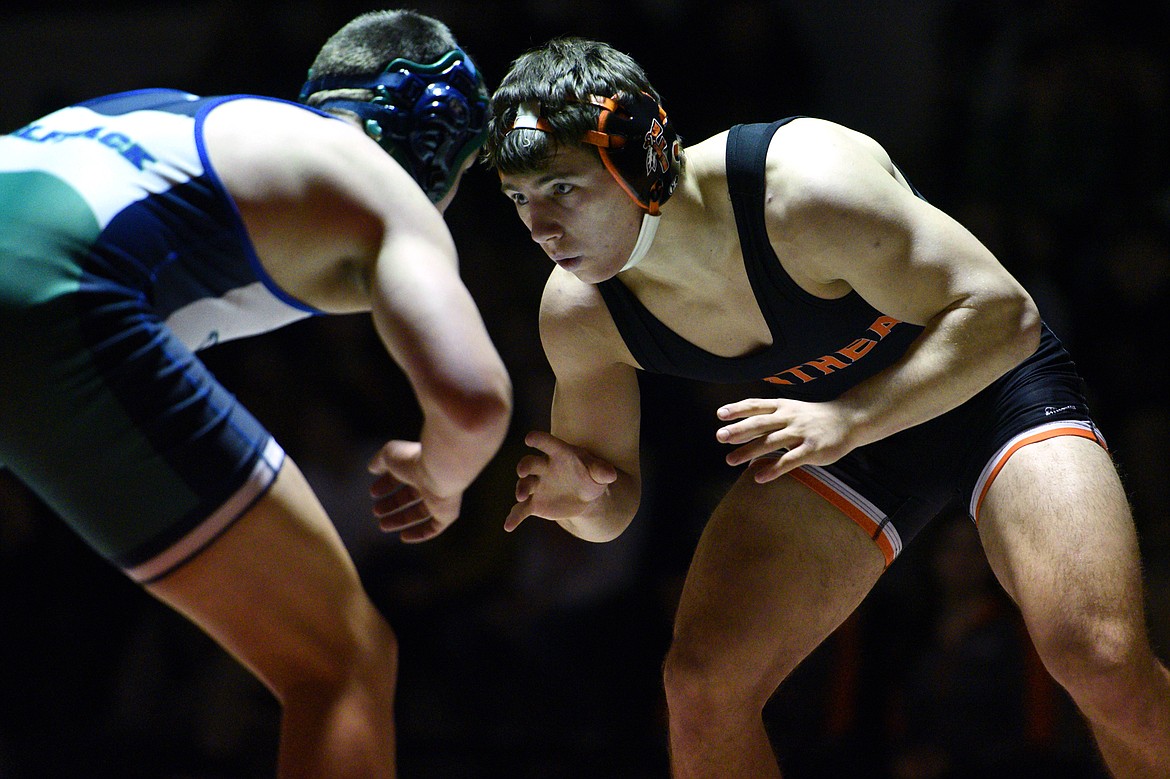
368 44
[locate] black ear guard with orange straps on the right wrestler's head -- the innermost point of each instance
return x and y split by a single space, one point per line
639 148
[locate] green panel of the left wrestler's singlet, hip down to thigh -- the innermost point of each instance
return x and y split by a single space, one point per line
64 432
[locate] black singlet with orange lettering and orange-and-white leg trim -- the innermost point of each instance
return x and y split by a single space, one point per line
822 348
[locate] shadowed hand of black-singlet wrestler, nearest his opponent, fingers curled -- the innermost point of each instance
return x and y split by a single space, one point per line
558 484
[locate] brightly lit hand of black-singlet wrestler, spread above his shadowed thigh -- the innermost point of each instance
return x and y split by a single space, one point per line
795 432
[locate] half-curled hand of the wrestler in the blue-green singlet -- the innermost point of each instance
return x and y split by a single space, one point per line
402 501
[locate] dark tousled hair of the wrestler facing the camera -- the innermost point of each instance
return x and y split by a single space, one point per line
560 75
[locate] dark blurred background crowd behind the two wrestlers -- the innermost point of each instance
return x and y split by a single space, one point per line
1042 126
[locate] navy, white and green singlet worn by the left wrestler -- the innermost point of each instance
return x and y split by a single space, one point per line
121 254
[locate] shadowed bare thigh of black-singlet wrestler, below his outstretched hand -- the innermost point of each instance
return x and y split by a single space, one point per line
776 571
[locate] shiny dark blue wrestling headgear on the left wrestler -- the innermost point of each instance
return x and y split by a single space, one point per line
429 118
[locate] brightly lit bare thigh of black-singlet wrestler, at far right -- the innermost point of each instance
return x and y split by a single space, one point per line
1058 533
